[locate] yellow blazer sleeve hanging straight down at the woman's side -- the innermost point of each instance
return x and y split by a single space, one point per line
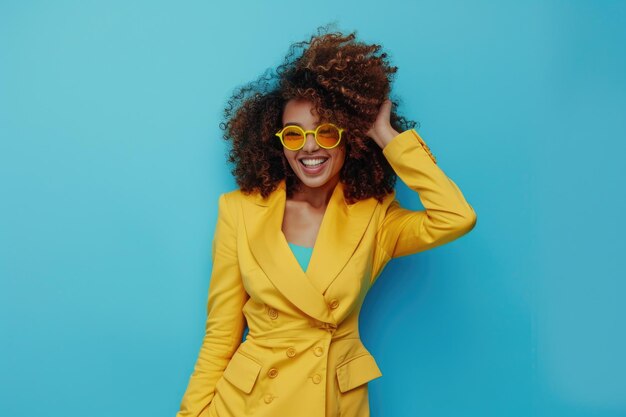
225 320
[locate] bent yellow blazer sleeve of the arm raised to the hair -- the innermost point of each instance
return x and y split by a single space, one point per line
447 215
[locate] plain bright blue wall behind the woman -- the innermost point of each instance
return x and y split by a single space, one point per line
111 163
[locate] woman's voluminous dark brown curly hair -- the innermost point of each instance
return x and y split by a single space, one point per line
347 81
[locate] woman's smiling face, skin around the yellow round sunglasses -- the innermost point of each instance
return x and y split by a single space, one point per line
299 112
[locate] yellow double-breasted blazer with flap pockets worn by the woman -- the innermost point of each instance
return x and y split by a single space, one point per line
303 356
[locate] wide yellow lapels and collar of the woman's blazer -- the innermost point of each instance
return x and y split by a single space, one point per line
341 230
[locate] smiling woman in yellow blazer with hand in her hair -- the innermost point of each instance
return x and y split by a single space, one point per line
316 149
